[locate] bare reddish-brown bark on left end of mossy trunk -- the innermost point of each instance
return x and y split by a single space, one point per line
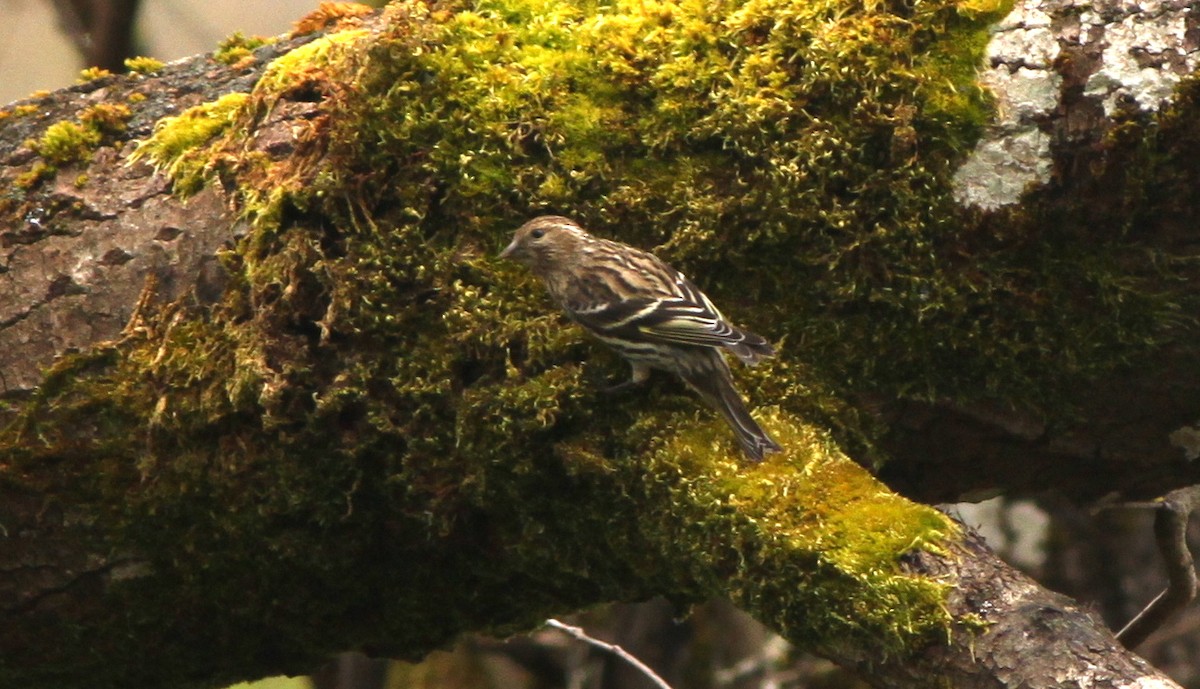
77 257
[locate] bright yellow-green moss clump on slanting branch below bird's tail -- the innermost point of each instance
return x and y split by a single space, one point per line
819 540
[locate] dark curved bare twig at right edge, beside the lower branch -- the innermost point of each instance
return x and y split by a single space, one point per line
1171 534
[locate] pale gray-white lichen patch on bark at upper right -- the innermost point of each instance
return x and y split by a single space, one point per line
1059 69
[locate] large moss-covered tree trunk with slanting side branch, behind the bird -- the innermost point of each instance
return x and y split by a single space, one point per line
331 337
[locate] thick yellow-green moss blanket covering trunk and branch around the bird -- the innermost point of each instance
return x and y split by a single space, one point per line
377 382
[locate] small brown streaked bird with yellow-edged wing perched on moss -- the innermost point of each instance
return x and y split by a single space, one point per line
649 313
